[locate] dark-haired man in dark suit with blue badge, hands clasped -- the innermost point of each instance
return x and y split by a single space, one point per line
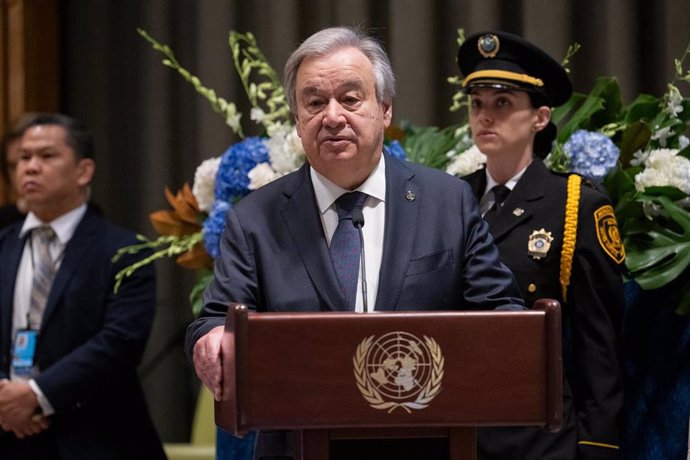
69 344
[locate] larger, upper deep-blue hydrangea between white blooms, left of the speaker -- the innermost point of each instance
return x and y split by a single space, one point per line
231 180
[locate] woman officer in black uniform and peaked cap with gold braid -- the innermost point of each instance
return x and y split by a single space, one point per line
557 233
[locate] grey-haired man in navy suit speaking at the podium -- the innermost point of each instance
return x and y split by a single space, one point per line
427 246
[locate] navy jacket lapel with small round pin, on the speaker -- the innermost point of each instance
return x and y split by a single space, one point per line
403 196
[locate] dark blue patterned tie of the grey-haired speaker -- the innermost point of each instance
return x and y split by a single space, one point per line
345 246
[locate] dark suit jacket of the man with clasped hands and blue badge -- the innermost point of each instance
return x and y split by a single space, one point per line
90 343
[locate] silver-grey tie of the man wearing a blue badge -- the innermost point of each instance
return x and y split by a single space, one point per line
44 273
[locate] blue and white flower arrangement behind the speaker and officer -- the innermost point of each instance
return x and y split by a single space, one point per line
639 152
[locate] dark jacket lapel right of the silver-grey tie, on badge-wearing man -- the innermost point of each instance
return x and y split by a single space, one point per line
75 251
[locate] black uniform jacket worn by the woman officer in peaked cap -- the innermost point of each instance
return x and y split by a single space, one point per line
592 315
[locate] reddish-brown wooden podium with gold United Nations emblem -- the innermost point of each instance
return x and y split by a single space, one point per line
330 376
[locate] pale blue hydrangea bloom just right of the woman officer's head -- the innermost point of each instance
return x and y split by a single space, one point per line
591 154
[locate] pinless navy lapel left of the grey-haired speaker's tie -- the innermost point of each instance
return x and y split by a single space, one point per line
301 217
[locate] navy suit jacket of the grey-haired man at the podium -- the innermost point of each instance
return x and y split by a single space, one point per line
437 254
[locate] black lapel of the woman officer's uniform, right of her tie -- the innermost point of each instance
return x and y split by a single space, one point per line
522 201
